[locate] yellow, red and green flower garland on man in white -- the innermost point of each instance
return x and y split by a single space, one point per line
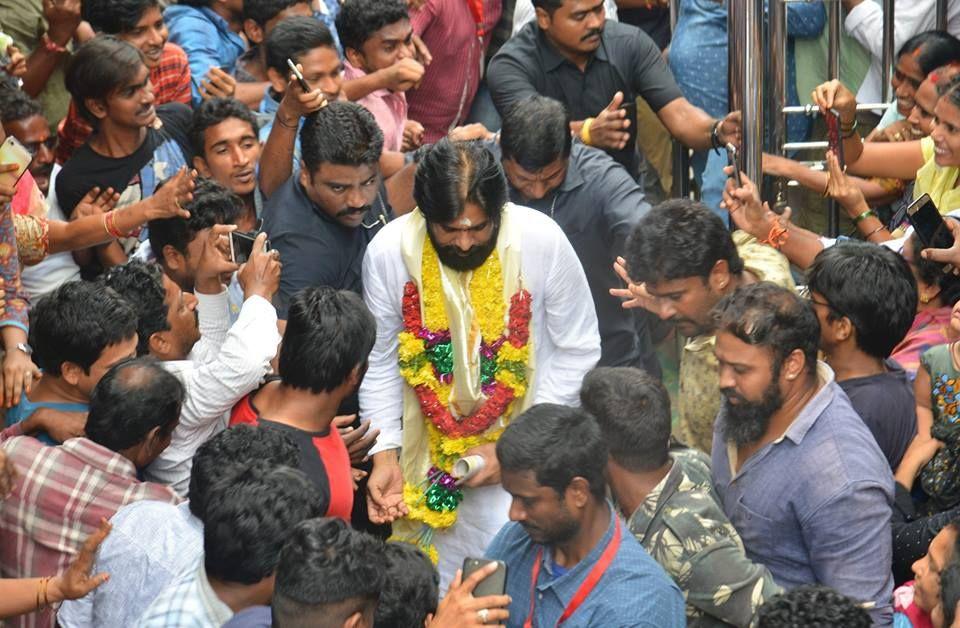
426 363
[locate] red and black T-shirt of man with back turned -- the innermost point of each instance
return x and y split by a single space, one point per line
323 457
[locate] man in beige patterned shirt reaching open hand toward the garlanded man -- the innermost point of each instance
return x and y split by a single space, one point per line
682 260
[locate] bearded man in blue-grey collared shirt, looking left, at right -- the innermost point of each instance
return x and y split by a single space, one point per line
797 471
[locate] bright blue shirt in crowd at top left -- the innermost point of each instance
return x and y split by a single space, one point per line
206 38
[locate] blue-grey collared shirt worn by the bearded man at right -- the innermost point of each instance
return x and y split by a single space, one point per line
814 505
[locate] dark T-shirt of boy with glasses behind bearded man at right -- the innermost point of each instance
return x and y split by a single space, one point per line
886 404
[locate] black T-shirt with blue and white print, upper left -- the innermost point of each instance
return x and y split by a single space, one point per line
166 148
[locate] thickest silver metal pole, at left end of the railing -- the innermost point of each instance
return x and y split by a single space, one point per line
745 23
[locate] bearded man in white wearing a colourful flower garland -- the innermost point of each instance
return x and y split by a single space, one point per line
481 312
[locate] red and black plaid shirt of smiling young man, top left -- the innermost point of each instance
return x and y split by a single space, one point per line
171 83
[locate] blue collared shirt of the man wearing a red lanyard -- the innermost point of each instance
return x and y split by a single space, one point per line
634 590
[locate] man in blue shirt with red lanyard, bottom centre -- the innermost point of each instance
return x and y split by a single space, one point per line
564 533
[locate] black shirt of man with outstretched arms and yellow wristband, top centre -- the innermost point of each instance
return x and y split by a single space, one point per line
627 61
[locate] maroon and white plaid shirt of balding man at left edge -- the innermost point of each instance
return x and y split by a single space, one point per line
60 496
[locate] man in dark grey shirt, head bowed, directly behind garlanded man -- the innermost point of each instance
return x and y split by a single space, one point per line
595 202
